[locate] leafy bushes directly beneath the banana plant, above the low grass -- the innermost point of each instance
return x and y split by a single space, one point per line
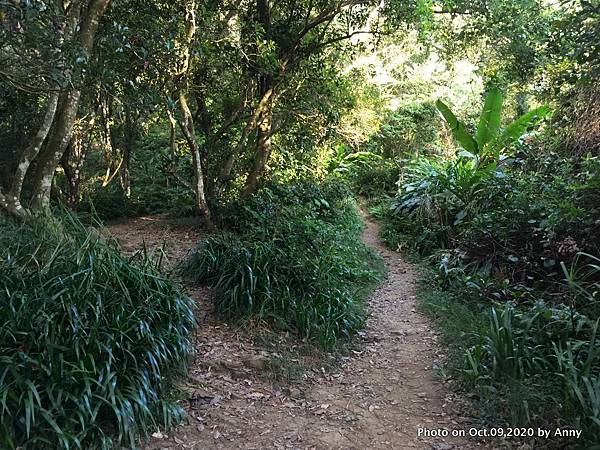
520 218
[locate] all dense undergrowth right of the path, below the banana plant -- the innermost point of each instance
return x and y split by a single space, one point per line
514 253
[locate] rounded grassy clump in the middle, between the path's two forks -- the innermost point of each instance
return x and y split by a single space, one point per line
291 255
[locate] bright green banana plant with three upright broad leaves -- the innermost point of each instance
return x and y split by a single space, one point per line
489 139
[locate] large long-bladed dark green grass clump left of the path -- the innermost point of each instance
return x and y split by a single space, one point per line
89 340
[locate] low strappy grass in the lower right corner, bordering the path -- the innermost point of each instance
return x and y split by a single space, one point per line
533 363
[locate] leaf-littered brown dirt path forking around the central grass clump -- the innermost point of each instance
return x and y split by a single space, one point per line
377 398
